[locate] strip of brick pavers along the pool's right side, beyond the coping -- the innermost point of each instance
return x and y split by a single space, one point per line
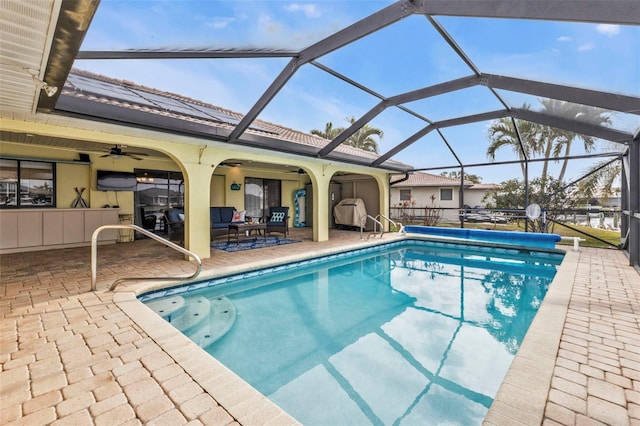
596 379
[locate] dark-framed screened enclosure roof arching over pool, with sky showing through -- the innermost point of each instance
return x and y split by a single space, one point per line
432 75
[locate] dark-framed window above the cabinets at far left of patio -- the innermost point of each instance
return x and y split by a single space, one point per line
26 184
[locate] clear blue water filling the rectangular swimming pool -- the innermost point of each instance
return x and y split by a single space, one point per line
412 332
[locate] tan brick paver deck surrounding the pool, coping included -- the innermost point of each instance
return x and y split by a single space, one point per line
72 356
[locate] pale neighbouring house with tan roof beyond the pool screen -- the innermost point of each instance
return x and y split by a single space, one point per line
422 190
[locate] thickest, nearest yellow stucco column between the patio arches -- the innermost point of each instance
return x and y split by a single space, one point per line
197 232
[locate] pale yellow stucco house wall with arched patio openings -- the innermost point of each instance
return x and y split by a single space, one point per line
195 163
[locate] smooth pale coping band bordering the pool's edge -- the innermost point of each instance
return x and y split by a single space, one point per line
514 401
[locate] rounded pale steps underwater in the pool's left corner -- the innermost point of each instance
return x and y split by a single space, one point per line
204 320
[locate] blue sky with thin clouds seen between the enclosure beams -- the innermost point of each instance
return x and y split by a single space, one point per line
402 57
